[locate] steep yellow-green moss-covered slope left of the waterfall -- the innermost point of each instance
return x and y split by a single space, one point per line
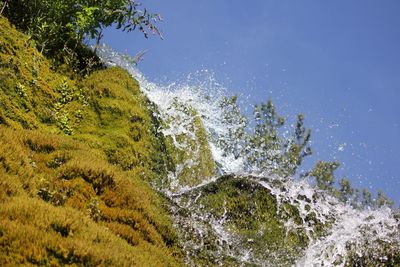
74 157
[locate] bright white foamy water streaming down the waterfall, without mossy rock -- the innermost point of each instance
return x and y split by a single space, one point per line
351 227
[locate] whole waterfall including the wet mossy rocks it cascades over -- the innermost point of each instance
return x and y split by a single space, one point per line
334 233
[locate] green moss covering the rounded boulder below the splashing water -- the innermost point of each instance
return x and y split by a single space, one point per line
252 217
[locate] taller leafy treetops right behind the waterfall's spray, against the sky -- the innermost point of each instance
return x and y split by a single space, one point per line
264 146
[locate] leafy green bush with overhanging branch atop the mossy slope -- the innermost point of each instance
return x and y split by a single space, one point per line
60 27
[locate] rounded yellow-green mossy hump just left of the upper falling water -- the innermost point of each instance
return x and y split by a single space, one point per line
121 123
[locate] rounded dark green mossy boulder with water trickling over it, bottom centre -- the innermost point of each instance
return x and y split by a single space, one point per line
252 217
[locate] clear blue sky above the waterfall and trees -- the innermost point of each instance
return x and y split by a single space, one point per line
337 62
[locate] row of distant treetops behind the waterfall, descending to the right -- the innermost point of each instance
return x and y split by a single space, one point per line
266 149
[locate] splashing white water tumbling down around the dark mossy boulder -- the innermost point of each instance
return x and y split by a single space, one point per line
351 233
